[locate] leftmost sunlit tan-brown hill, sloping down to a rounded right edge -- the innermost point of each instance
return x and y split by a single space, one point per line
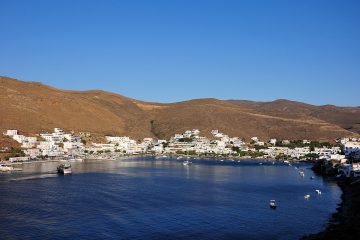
34 107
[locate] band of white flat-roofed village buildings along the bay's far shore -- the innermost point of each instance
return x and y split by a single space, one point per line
66 145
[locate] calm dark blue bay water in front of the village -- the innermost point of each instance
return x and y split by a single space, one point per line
150 198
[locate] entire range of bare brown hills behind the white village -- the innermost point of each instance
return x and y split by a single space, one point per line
33 107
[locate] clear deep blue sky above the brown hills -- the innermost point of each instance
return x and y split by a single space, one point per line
171 50
